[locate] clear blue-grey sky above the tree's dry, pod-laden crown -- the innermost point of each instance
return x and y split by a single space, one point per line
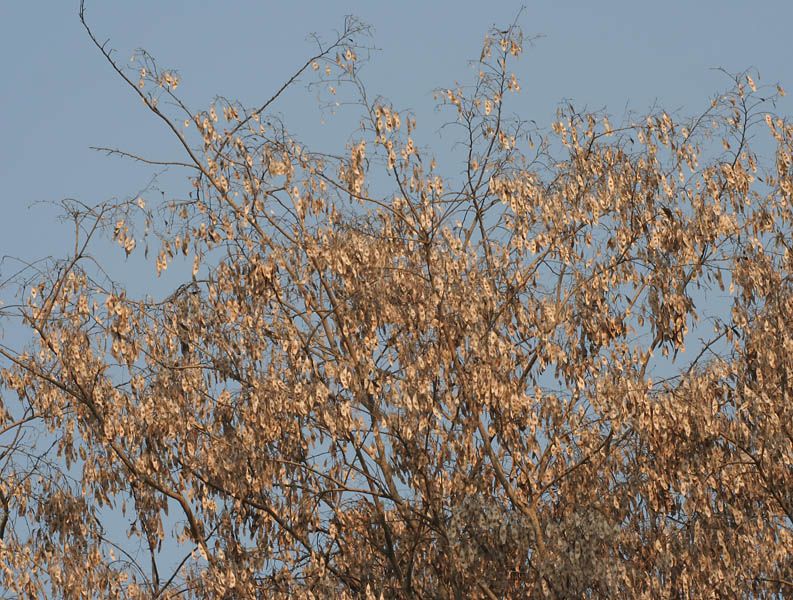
58 97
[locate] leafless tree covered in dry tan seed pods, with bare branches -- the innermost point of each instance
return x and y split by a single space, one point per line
563 372
